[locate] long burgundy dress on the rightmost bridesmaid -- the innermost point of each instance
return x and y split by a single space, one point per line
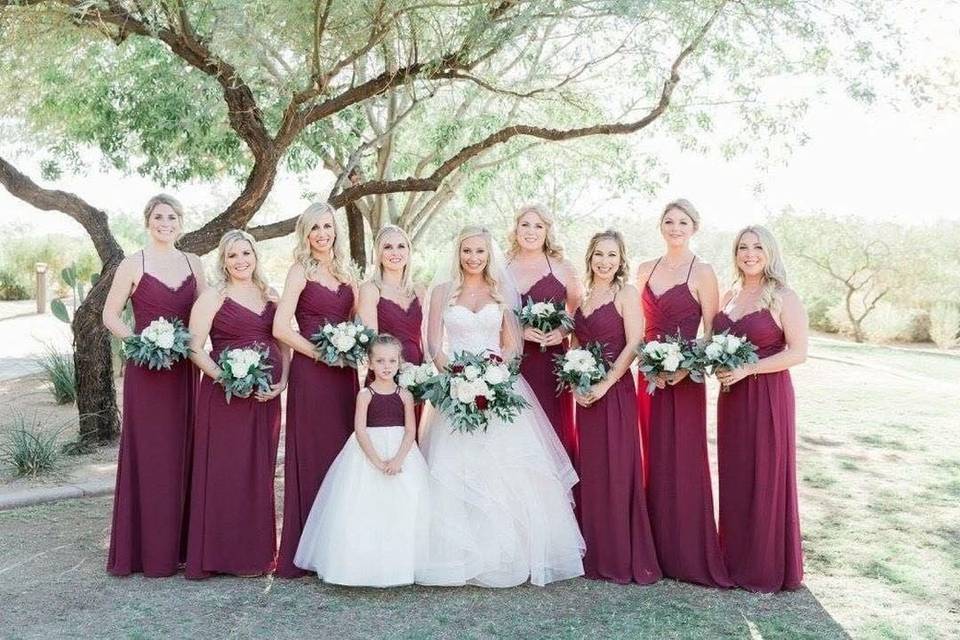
756 451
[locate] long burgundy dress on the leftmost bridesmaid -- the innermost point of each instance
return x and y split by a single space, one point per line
153 469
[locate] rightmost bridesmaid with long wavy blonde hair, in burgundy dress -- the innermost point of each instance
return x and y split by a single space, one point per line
756 449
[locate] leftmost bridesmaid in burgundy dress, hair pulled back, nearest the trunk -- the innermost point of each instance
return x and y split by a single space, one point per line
153 468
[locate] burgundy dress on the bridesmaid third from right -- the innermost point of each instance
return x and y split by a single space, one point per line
613 510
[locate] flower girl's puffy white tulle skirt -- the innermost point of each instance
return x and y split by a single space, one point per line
367 528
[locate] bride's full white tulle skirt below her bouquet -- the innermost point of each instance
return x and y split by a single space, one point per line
501 503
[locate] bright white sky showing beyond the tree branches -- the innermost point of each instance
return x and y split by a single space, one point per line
877 162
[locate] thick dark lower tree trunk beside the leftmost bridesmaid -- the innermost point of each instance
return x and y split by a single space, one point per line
96 393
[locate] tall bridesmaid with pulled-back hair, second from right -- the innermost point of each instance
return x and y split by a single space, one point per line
678 293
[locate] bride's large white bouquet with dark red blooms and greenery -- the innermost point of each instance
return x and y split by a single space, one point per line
474 388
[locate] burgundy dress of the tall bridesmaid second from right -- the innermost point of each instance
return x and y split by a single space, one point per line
674 427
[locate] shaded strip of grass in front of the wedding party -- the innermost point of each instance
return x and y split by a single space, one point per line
53 584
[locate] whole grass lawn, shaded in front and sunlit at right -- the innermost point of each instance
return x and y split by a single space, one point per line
879 462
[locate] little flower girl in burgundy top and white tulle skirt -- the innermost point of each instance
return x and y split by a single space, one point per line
368 525
